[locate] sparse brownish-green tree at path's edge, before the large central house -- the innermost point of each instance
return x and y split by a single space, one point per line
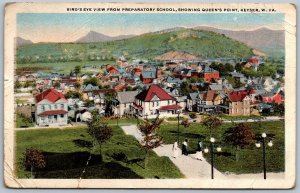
150 138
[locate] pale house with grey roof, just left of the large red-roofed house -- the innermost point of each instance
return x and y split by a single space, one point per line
123 102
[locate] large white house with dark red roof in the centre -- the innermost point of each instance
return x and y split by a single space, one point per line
154 100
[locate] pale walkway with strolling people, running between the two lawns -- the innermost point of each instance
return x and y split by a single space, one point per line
190 166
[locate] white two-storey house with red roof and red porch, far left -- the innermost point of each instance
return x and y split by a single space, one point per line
51 108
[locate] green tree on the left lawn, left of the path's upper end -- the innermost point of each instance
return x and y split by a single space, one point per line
99 131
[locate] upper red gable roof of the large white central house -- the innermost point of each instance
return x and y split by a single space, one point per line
154 90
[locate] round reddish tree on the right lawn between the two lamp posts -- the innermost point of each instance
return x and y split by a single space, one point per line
239 136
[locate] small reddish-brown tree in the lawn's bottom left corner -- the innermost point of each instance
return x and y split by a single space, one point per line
33 160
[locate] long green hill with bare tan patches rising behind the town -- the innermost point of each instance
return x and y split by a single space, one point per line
199 43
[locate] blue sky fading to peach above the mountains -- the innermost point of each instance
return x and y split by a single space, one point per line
68 27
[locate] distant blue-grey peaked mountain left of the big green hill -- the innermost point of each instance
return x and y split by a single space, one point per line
95 37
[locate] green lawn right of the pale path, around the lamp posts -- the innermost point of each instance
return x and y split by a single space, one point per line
249 158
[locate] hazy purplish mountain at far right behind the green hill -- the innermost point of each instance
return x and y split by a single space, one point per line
263 39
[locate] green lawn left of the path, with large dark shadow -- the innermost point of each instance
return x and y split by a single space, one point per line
67 151
